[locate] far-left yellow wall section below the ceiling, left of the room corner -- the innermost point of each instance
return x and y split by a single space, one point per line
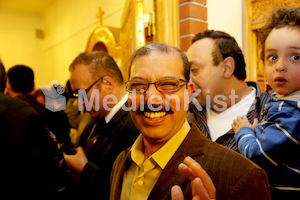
18 44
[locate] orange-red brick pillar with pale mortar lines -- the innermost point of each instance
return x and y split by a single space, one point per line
192 20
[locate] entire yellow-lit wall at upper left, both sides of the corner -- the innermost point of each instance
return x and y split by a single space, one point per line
67 25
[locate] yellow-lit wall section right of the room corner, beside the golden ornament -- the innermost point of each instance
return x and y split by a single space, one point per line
68 25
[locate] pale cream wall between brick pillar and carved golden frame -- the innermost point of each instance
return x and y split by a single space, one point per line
227 16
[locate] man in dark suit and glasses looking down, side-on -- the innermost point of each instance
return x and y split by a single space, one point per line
98 83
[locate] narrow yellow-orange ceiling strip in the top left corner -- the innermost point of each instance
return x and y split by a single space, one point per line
32 6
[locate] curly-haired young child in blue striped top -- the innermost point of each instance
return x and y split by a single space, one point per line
274 143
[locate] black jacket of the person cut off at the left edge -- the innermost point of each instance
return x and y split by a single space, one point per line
27 168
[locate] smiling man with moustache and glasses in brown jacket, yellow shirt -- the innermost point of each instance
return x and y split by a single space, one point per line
158 86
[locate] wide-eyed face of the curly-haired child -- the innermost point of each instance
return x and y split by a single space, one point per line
282 60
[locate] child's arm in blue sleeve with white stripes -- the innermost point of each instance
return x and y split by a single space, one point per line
278 133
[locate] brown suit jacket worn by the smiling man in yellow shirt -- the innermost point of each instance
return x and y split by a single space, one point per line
234 176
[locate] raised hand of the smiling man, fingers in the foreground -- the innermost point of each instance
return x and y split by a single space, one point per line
202 186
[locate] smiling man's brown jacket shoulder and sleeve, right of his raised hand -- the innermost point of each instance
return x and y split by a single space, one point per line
229 170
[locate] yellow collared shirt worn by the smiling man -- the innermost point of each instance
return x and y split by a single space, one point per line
142 175
